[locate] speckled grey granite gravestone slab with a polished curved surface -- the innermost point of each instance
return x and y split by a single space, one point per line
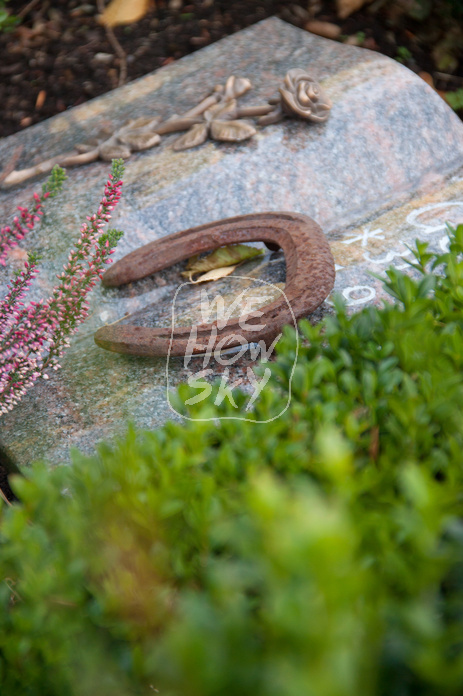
383 170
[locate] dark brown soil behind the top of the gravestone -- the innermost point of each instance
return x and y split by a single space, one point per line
59 56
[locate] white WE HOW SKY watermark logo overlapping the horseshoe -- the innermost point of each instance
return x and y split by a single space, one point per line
212 363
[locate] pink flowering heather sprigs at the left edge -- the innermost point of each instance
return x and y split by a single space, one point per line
34 336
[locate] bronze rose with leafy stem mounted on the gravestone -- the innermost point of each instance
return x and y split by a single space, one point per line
218 116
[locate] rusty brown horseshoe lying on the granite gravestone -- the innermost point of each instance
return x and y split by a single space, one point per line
309 279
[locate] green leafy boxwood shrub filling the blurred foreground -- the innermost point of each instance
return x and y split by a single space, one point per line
320 554
